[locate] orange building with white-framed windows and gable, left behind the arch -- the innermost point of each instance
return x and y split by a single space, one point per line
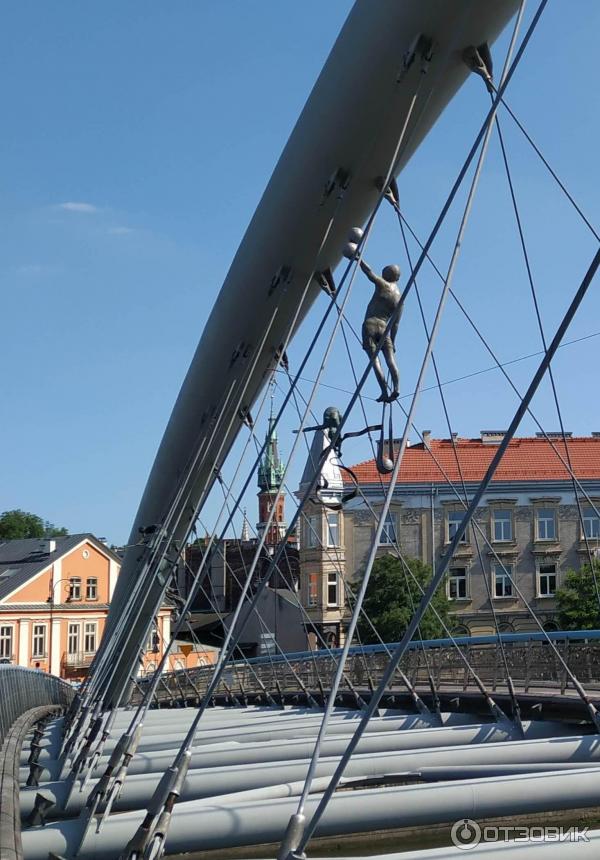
54 599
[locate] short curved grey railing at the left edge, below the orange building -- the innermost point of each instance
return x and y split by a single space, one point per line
22 689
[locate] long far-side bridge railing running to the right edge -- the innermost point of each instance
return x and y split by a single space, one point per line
533 665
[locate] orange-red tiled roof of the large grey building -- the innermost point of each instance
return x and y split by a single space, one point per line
526 459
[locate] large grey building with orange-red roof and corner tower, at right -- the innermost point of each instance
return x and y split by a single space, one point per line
531 527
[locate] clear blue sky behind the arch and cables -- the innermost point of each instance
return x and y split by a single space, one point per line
137 141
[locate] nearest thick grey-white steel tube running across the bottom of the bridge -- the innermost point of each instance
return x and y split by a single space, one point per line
235 820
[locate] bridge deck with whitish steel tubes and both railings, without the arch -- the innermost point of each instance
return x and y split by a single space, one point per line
443 740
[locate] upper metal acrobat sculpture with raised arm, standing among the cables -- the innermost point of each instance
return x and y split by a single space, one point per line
380 310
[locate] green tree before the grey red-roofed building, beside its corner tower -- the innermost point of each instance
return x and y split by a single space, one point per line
392 596
